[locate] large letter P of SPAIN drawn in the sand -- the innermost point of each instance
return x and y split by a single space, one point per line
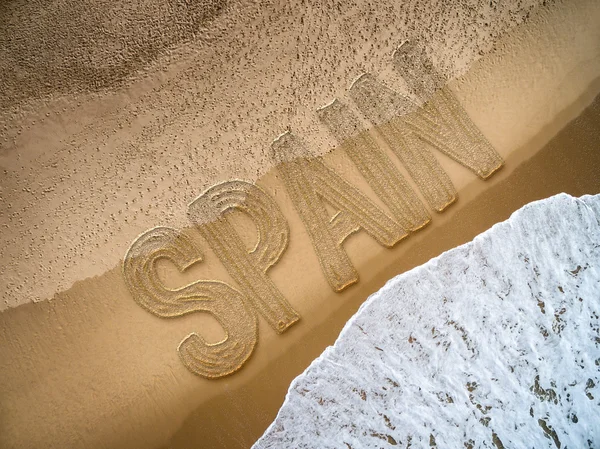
249 269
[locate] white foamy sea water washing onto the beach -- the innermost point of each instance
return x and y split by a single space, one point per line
493 344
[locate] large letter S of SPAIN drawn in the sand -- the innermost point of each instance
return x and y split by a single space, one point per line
227 305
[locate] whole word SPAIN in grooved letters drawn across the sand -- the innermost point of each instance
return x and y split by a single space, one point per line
411 129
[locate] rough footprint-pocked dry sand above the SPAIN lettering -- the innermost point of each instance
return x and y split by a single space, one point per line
92 170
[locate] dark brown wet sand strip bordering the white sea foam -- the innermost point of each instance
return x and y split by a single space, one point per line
569 163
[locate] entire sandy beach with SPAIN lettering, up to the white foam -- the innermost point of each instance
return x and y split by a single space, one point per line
164 273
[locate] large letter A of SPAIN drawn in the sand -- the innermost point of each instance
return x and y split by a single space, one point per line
309 182
